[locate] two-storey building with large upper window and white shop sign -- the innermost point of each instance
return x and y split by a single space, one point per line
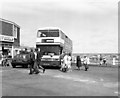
9 37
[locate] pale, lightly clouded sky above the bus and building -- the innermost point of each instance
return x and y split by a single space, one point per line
92 25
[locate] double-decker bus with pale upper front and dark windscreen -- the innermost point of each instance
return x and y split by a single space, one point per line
52 43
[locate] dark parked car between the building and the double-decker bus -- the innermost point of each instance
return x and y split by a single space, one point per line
21 60
